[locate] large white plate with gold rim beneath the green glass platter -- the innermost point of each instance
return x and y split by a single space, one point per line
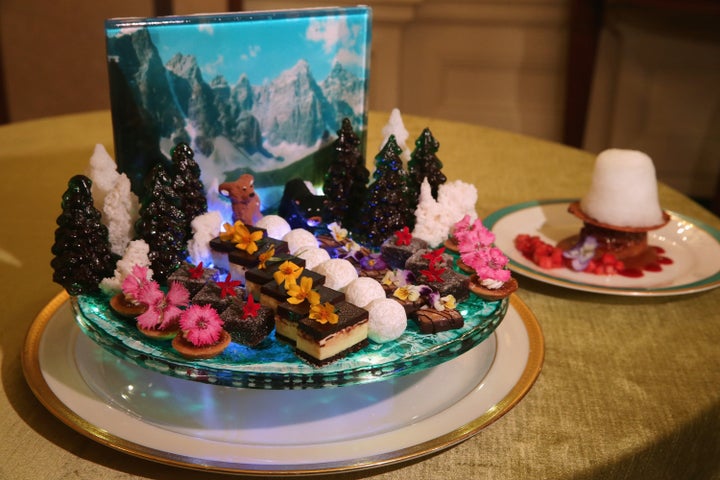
277 432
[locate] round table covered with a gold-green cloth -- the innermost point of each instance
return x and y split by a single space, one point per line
629 385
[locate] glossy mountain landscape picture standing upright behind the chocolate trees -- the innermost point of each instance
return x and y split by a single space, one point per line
263 93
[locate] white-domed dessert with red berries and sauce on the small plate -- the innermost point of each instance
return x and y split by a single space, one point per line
619 209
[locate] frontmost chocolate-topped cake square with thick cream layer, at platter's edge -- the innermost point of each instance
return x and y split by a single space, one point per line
323 343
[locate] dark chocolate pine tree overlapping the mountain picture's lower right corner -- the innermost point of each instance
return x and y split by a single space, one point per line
347 178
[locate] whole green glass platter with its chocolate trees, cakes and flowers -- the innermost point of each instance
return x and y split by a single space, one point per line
333 283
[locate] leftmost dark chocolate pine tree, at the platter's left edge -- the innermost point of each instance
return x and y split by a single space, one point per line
82 247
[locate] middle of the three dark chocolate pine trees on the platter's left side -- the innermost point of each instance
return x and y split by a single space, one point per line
162 224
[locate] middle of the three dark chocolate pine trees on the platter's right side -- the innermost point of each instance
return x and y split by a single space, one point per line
386 208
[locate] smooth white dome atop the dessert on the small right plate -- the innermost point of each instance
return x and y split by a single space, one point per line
623 191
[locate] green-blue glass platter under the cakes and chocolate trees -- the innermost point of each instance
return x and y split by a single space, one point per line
274 365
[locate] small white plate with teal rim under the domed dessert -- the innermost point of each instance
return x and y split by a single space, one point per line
692 247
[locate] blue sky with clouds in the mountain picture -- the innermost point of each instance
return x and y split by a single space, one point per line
264 47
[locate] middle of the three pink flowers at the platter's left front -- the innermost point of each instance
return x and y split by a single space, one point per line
163 309
